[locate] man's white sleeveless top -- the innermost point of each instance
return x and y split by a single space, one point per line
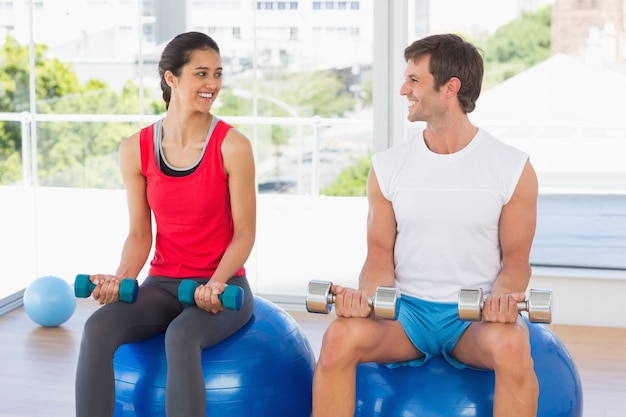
447 210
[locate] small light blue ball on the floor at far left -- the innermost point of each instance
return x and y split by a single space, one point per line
49 301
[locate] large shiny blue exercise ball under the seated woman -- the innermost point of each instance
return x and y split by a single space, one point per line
264 369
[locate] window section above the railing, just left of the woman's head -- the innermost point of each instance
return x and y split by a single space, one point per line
88 55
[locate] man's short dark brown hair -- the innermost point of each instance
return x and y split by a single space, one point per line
451 56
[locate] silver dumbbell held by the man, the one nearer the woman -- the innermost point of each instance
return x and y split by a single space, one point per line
386 303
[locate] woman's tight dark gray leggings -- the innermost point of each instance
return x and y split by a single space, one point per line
188 330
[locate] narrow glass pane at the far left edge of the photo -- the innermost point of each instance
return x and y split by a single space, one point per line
17 203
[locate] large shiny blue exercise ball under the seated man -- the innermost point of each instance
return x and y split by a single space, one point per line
439 389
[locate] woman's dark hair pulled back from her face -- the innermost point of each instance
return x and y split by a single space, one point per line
177 53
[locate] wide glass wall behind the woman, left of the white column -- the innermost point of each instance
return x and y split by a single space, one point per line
298 84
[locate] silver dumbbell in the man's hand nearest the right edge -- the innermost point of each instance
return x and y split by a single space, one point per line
538 305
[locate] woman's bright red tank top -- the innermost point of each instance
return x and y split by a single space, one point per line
192 212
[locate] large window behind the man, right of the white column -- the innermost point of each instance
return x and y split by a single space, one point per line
537 96
